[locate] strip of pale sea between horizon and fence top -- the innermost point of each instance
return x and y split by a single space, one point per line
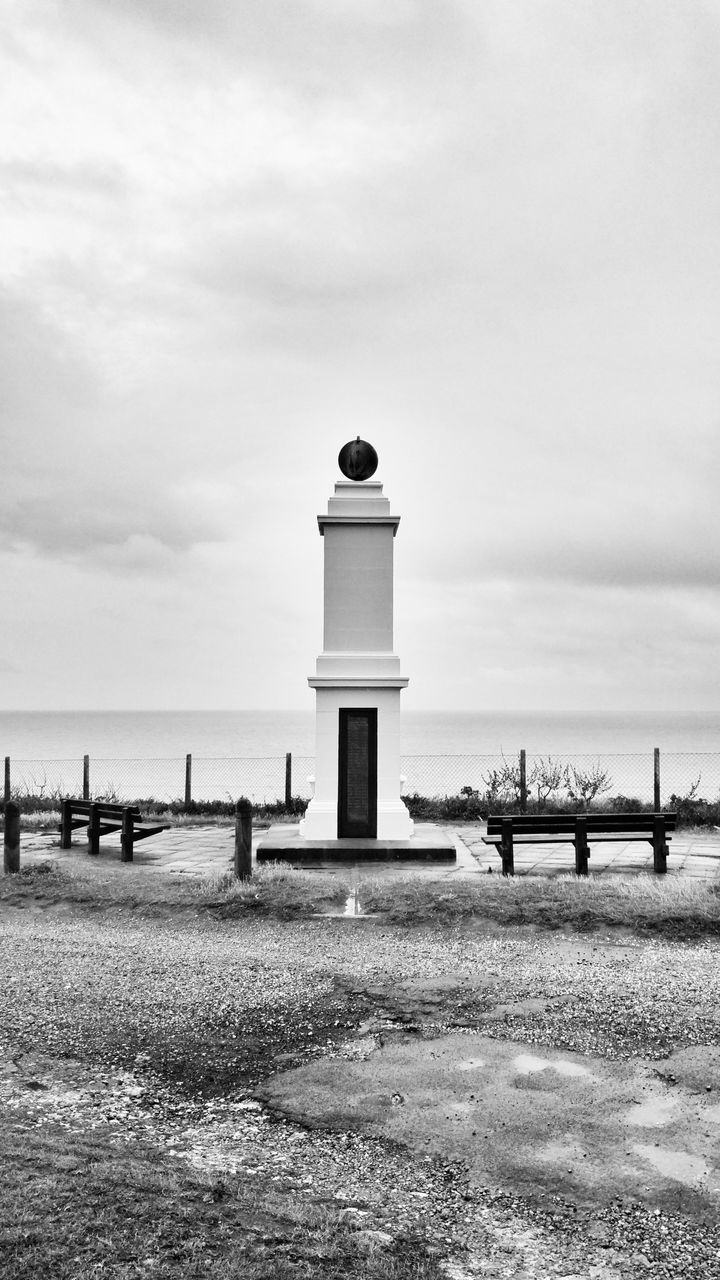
262 734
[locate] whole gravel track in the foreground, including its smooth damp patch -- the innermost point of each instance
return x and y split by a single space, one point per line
525 1104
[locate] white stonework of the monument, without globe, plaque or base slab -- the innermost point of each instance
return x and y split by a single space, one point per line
358 668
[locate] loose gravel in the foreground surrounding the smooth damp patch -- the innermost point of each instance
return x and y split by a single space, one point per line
166 1027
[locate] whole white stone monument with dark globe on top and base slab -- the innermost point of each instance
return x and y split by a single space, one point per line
357 803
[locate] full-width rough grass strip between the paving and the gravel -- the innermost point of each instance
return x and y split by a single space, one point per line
671 907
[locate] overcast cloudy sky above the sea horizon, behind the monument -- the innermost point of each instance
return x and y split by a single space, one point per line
484 235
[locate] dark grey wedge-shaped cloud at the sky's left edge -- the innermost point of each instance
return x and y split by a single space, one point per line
72 491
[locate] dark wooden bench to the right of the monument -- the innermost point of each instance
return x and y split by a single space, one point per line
580 830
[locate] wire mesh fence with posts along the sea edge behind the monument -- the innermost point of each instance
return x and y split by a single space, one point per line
275 780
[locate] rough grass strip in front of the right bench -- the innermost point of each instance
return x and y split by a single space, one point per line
669 906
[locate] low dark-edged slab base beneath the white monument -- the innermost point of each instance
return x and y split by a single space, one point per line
284 844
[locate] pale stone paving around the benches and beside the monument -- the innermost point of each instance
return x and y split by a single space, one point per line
204 851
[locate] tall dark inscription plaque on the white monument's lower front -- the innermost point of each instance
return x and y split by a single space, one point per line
358 774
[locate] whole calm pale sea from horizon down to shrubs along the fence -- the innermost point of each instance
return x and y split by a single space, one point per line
144 753
